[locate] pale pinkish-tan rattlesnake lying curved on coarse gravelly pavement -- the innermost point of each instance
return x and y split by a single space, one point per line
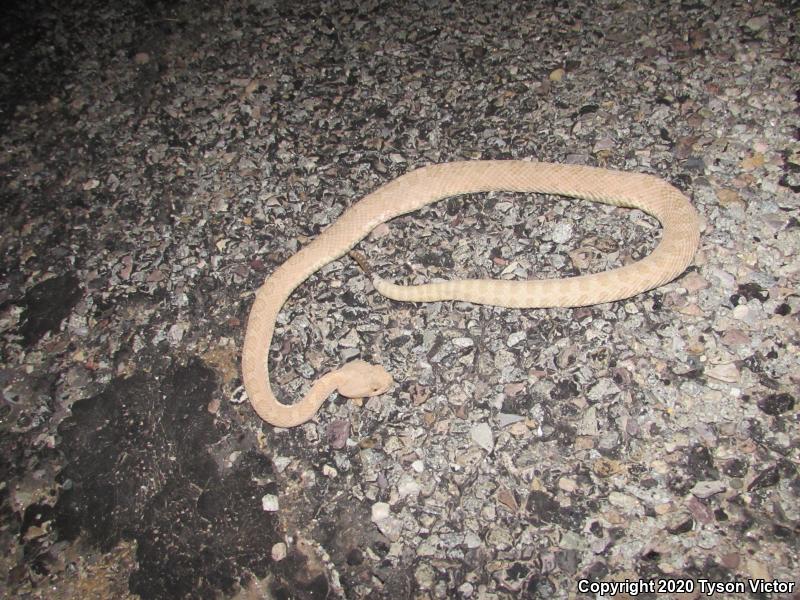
414 190
